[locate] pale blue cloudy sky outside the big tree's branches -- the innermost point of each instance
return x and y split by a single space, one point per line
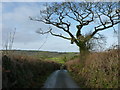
16 15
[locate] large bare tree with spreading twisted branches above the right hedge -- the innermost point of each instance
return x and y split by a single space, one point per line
63 15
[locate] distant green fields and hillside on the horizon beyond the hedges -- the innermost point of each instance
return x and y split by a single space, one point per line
59 57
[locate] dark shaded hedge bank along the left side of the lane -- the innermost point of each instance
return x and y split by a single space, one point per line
20 71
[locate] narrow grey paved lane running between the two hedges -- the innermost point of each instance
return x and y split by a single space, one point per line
60 79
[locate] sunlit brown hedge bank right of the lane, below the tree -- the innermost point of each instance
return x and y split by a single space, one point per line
100 70
